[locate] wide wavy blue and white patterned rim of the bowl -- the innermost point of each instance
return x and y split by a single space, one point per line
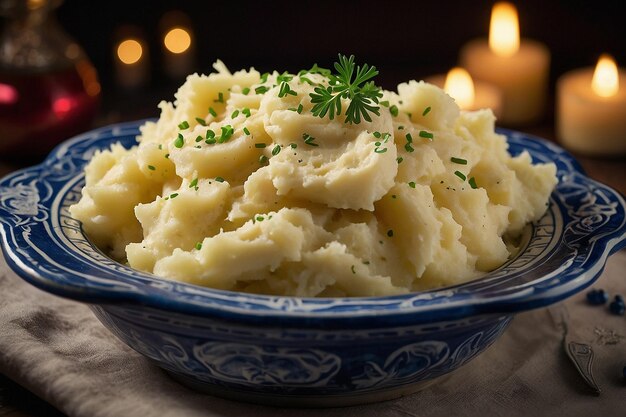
580 269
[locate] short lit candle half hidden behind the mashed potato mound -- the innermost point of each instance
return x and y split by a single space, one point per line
468 94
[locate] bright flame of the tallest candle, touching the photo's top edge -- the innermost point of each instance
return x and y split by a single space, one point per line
504 29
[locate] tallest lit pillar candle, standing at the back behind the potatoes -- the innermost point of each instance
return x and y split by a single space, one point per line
518 68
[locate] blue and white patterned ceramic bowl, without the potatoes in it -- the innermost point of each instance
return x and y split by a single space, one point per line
303 351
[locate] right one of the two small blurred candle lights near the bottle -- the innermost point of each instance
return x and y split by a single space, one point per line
178 45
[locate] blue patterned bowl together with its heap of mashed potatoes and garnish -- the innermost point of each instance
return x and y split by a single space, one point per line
309 239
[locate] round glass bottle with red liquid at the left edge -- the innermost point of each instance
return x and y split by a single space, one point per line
49 91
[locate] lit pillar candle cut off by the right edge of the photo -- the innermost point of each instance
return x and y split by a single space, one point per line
591 109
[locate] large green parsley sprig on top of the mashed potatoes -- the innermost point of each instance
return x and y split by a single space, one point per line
358 88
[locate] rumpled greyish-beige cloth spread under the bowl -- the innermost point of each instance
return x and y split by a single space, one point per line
58 349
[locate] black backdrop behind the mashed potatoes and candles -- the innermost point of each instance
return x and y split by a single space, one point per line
404 39
